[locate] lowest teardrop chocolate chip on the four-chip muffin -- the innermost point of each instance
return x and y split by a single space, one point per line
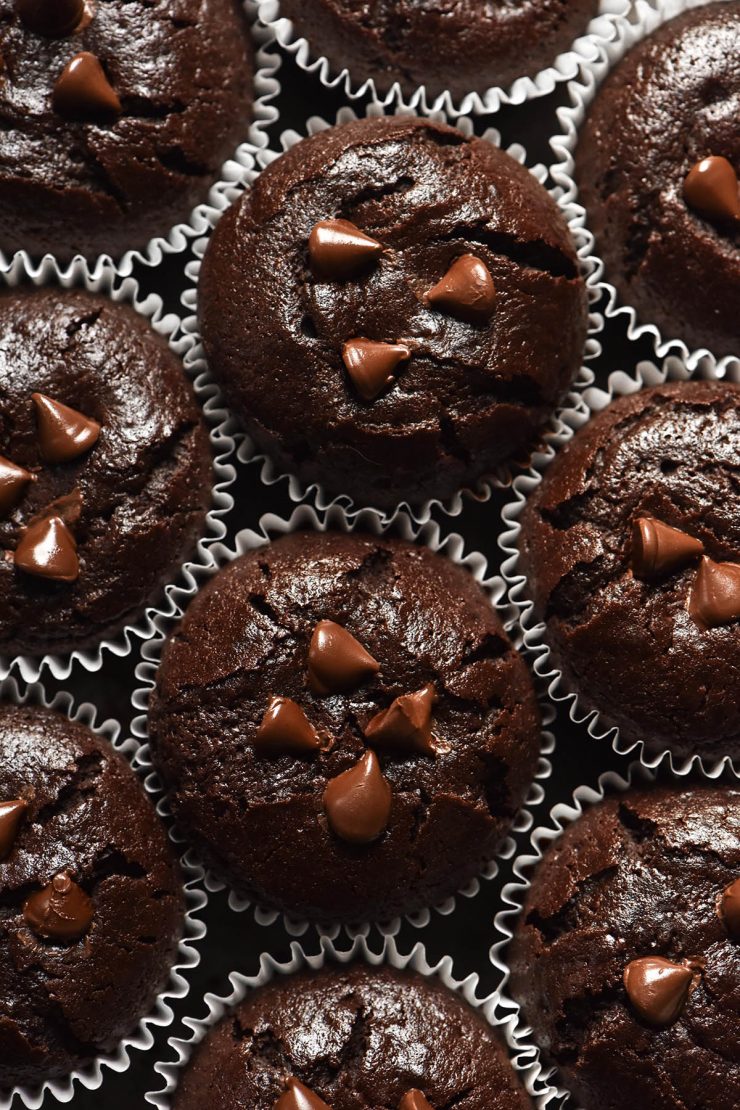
358 803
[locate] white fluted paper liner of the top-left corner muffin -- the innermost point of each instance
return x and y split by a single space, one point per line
221 194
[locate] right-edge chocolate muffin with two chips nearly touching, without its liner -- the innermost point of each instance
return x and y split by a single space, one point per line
632 550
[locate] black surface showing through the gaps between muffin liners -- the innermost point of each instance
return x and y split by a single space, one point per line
235 942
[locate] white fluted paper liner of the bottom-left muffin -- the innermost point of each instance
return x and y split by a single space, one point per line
194 930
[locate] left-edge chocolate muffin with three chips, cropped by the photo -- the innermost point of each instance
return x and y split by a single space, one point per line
105 469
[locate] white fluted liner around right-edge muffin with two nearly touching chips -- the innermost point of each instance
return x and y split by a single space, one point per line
535 634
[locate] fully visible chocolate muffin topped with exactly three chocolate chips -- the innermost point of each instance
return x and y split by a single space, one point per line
393 309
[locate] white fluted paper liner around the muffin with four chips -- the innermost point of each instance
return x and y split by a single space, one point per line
271 528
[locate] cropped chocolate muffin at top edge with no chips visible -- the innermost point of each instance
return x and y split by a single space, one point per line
461 46
